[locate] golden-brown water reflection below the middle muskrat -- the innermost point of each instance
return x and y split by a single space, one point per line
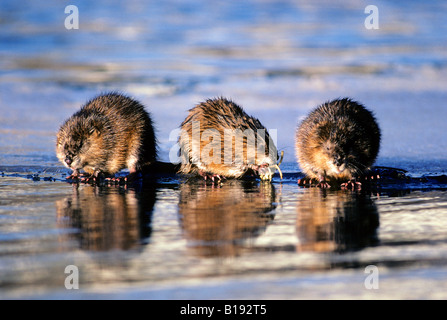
217 219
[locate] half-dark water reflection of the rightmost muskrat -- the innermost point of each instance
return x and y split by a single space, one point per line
336 221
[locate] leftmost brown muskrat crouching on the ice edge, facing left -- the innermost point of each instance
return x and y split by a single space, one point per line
109 133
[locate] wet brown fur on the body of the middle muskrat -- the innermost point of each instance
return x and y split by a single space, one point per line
220 114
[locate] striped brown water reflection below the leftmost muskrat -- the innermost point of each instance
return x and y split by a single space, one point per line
107 218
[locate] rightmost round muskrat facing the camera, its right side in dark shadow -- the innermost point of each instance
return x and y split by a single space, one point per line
339 140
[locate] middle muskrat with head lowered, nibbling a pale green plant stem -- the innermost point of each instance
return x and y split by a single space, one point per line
221 157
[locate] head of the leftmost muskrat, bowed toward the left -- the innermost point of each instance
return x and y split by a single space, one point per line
79 146
